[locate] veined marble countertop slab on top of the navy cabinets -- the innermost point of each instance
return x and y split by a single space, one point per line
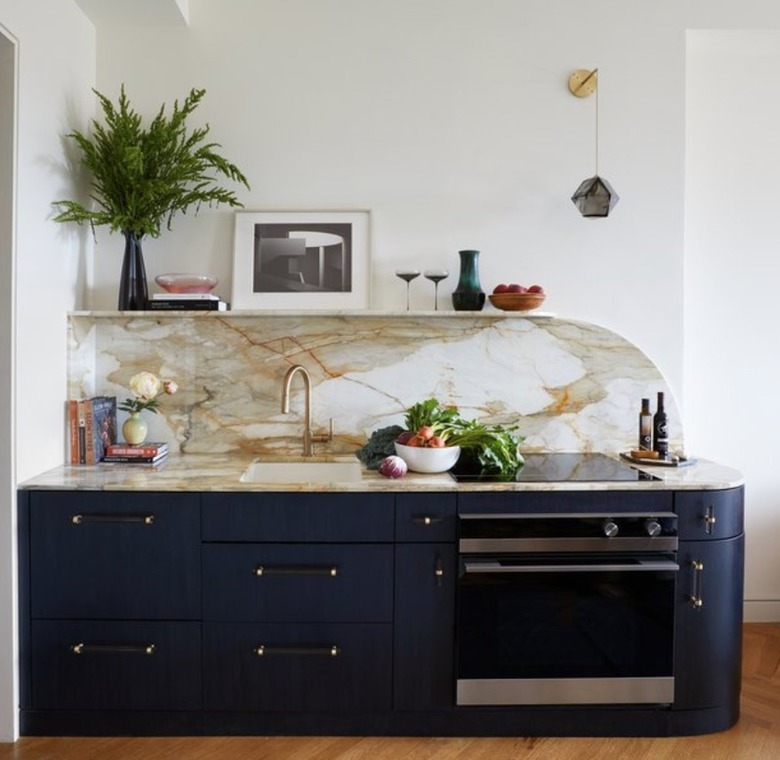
222 472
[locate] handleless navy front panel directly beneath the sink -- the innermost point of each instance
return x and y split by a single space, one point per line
290 516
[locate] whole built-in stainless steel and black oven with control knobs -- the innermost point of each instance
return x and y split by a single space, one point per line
566 608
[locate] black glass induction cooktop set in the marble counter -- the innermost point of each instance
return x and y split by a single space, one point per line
562 467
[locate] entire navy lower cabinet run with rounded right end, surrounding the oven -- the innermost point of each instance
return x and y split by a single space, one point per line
323 613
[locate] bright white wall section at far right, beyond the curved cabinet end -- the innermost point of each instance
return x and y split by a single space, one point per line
732 275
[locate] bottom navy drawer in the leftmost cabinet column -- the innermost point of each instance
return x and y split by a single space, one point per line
115 665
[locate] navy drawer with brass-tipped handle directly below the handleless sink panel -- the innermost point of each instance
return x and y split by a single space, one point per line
298 582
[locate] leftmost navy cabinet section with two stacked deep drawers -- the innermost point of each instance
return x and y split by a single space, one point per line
110 601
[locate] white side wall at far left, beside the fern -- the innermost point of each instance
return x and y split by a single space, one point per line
56 68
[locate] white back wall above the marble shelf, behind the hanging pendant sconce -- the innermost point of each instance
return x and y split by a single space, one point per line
452 121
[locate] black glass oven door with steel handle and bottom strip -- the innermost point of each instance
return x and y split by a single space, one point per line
564 629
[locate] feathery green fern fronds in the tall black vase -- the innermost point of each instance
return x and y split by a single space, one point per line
141 177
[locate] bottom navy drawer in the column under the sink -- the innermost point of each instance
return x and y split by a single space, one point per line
313 667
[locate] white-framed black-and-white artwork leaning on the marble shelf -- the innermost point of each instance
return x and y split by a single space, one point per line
301 260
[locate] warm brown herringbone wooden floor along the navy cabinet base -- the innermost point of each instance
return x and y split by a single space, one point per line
755 737
